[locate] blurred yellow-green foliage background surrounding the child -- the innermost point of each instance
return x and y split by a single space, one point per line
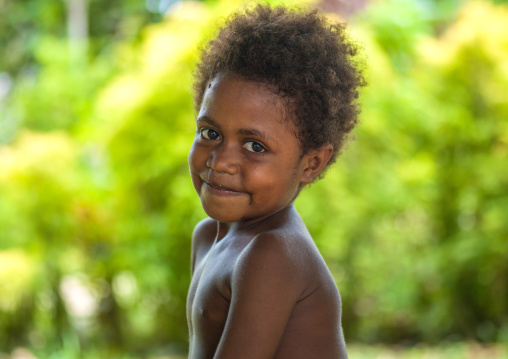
97 208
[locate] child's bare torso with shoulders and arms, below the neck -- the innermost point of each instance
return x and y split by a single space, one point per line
262 292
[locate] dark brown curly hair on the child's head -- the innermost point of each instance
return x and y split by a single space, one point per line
310 62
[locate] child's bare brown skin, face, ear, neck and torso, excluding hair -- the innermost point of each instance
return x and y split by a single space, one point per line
260 288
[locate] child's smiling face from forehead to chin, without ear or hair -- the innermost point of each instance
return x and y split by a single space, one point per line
245 161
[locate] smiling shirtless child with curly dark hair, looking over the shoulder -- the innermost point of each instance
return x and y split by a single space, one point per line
275 92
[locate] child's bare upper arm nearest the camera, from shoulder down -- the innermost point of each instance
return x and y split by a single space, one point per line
267 282
